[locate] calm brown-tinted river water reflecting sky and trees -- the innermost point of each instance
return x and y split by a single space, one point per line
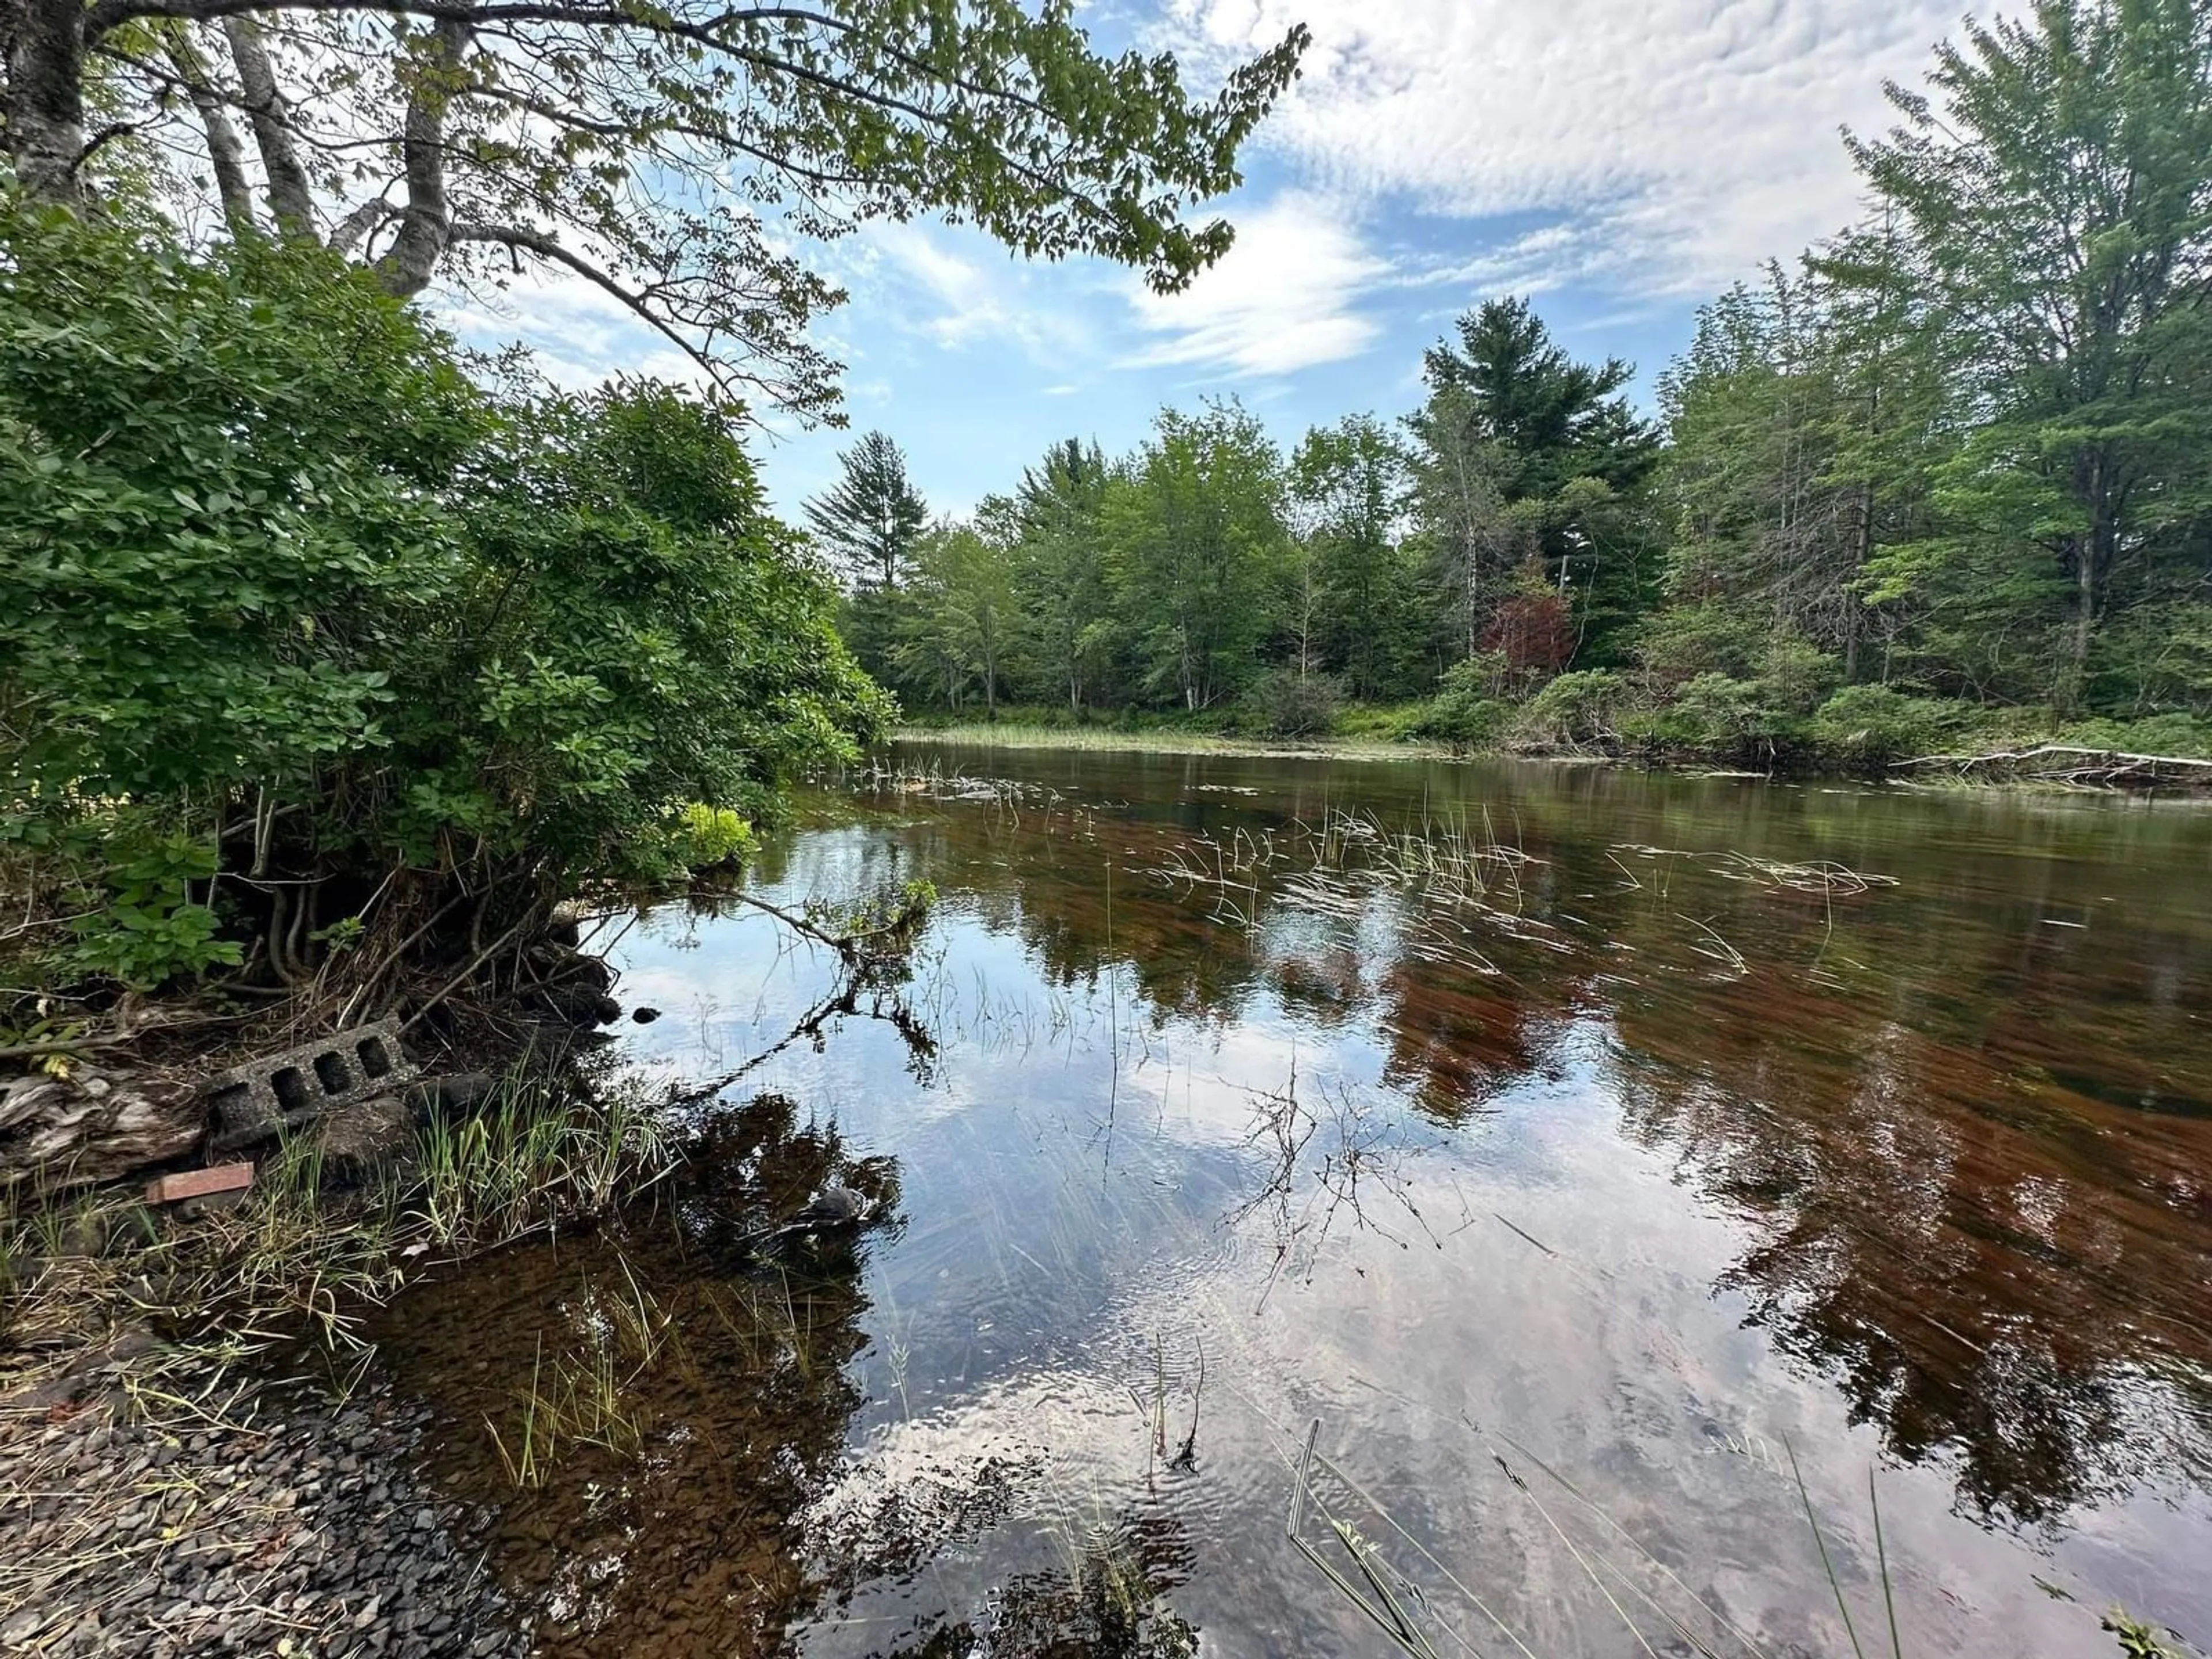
1627 1180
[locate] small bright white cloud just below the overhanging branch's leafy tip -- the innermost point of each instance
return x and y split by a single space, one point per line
1284 298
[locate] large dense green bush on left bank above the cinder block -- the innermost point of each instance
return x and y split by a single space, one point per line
309 632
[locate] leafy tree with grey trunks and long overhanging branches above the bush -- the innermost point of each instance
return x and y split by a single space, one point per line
669 156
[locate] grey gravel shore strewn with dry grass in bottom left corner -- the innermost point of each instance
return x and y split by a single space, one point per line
264 1519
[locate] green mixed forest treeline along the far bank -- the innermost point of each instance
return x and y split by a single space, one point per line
1939 483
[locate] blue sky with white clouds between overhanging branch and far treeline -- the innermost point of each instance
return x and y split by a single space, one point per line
1618 160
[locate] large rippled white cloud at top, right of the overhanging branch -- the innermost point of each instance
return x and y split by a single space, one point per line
1678 140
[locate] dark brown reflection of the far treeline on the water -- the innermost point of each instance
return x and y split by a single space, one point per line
1970 1145
